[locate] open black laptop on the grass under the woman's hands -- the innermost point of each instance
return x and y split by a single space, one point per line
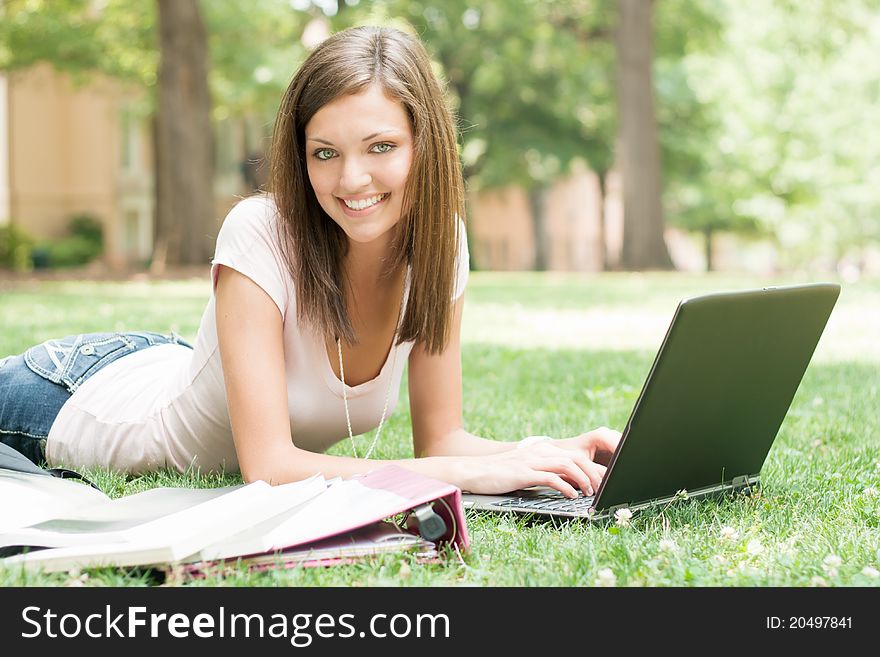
711 407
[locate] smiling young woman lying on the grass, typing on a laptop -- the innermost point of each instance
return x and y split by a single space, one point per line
352 266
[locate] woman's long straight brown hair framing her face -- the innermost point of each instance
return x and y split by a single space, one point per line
426 239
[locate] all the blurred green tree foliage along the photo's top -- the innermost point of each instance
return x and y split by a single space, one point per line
766 111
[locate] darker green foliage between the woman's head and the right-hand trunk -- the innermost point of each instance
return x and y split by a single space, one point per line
529 80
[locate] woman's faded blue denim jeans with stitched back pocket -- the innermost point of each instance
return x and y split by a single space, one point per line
34 385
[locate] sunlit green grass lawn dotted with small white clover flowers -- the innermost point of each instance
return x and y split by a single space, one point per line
558 354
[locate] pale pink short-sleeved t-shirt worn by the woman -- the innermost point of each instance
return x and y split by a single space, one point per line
165 406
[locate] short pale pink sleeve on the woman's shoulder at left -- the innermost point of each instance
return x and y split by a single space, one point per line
247 242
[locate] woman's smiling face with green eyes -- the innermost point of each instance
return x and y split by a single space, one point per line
359 149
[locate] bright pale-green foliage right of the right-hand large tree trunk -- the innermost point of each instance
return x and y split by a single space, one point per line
793 91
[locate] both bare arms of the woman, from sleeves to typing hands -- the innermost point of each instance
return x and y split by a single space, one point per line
250 335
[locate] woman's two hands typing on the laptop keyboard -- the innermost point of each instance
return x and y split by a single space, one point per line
566 465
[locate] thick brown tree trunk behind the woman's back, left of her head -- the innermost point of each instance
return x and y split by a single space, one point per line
186 223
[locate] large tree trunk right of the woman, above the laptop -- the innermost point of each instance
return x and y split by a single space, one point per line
643 244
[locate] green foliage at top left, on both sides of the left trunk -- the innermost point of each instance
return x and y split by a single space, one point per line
254 46
